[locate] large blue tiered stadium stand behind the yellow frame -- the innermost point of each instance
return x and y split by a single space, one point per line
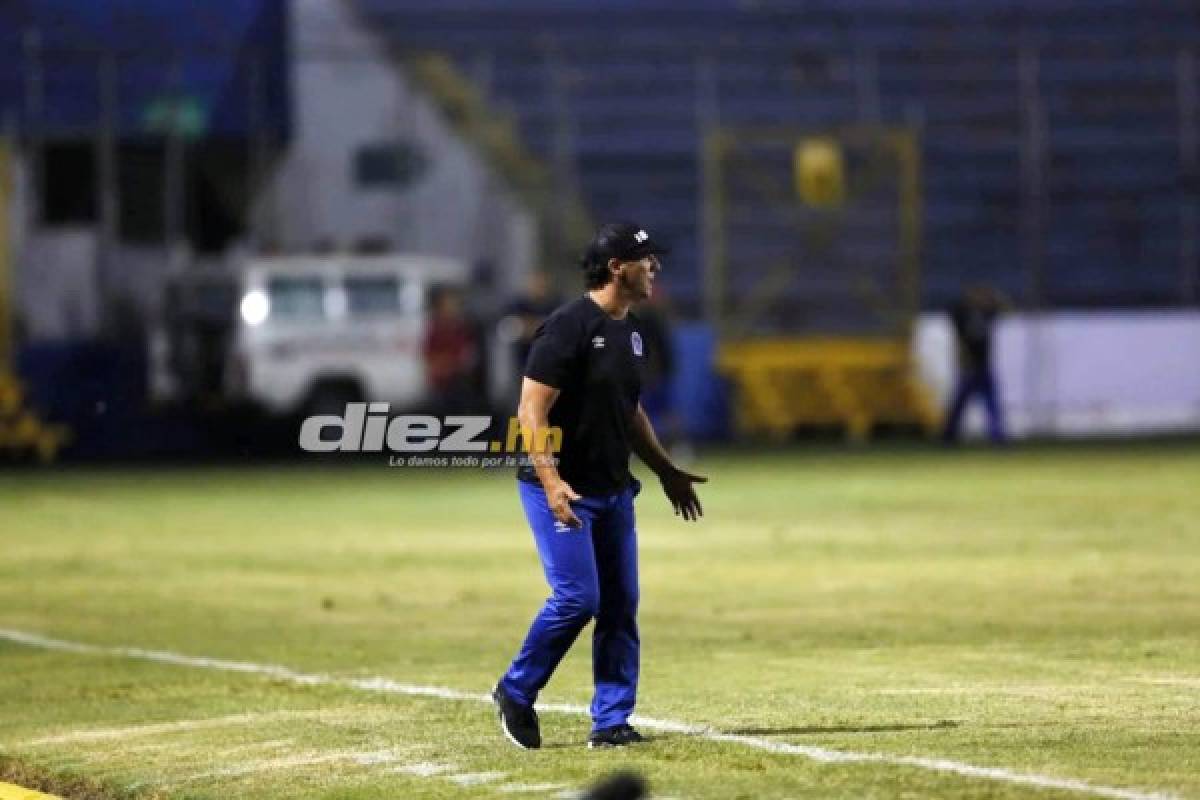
631 85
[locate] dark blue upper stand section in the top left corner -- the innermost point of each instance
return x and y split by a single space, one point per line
227 52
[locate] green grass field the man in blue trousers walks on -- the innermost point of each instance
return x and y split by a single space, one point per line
1035 612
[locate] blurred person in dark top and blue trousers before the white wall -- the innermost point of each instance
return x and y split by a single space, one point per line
974 317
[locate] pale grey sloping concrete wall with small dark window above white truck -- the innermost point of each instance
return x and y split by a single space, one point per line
349 93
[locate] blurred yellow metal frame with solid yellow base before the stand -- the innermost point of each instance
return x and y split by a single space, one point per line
800 378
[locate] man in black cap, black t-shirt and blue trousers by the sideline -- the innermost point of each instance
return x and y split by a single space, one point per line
584 377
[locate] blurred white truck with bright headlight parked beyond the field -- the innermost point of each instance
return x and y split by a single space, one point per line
299 334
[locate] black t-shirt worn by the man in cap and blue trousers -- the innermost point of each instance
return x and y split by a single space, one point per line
596 363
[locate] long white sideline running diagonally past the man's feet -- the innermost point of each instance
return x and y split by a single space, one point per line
757 743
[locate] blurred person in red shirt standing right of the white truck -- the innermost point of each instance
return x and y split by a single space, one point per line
452 351
